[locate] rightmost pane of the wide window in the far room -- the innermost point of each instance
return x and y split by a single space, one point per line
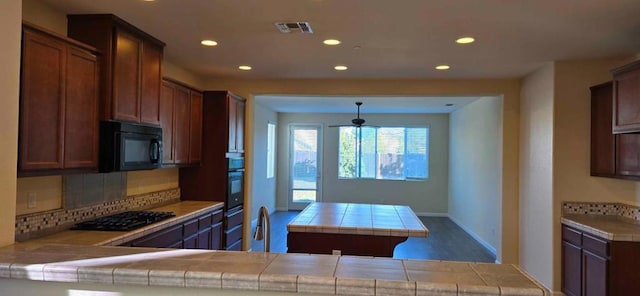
417 157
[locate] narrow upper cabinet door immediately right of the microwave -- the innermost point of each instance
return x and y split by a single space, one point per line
166 121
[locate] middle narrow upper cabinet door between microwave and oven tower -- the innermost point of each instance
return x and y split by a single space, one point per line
181 137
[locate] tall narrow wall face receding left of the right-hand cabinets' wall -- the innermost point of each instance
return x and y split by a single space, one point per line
536 174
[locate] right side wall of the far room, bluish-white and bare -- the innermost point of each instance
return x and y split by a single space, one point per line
475 175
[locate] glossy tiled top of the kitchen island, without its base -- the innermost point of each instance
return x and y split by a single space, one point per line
352 218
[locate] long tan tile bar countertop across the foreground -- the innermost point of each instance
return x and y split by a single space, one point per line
296 273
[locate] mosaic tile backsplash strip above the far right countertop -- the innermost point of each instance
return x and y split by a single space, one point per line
615 209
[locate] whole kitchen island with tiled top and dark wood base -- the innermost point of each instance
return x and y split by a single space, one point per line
352 229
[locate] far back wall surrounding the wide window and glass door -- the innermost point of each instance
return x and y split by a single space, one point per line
428 196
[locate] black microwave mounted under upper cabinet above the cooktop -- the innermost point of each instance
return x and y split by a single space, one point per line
129 146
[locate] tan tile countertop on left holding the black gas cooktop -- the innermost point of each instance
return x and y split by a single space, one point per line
184 210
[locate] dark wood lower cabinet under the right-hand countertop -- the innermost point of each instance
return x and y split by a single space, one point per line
593 266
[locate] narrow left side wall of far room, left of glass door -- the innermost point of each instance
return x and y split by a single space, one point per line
264 193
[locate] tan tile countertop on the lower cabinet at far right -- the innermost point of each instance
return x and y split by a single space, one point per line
610 227
